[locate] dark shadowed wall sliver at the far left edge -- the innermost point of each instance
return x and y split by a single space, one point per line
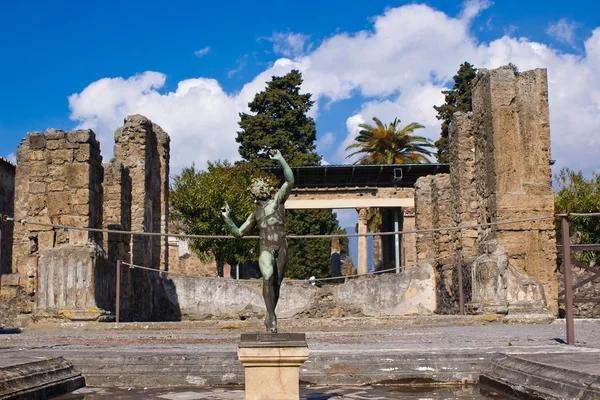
7 207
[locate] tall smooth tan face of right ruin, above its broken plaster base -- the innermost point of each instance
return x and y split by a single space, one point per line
512 166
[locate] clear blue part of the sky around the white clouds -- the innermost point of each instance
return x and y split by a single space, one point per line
52 50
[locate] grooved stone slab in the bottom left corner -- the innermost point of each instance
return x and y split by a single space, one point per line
27 377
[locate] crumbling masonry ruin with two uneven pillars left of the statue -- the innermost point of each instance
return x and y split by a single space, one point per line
60 180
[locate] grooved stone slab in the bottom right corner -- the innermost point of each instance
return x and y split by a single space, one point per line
546 376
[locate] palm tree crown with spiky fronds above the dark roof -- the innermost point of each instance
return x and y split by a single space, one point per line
390 144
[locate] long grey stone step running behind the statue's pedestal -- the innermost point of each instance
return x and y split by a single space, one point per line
321 368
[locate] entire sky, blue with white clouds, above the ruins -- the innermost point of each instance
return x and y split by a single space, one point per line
192 67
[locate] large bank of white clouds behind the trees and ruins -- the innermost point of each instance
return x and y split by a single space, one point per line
396 69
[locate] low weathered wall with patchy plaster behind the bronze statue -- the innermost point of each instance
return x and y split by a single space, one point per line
408 293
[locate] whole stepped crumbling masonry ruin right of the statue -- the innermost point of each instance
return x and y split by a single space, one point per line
499 170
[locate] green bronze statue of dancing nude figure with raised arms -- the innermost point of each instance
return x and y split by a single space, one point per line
270 218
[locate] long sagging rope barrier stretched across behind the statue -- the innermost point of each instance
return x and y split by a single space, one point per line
333 235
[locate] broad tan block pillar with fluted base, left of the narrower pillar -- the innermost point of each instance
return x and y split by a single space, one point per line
58 181
